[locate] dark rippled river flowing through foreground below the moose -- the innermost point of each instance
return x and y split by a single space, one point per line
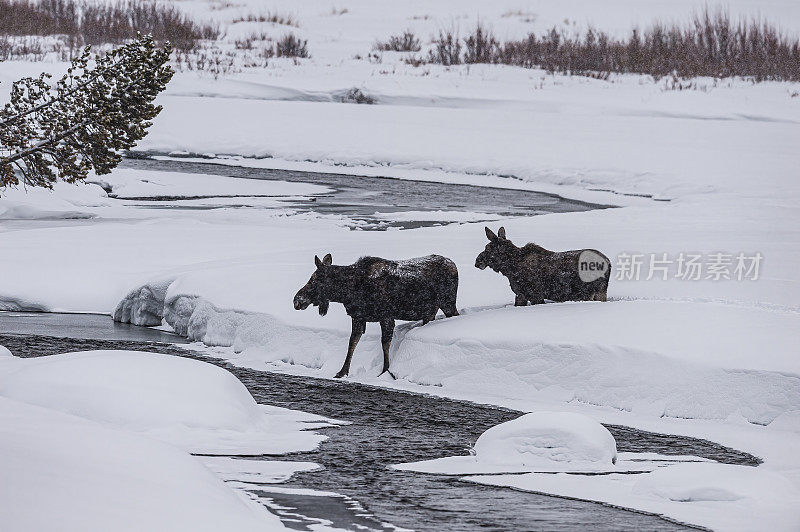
387 427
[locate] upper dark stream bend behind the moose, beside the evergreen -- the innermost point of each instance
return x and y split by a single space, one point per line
359 198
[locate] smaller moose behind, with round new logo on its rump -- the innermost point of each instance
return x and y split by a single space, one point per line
536 273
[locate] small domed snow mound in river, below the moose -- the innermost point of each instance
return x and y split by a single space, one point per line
541 438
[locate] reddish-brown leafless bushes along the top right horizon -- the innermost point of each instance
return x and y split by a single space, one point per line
711 45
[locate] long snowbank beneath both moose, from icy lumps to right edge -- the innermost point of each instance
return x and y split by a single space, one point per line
554 352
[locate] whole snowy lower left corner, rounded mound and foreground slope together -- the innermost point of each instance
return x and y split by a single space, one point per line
100 440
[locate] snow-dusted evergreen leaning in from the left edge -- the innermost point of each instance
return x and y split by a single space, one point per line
100 107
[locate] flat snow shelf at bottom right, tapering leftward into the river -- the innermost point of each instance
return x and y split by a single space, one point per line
716 496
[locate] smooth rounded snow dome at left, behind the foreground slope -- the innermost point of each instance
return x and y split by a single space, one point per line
134 389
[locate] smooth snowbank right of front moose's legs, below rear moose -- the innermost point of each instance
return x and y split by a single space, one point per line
580 351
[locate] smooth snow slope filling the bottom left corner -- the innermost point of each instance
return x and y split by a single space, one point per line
99 479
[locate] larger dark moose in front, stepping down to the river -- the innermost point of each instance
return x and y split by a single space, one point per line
380 290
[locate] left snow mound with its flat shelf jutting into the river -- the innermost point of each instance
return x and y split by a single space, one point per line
197 406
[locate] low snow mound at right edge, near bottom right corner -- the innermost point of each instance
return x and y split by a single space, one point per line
714 482
